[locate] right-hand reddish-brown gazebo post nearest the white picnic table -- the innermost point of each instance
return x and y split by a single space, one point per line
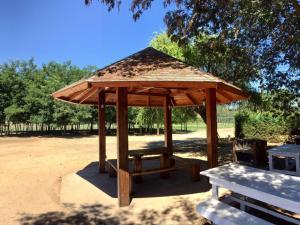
211 127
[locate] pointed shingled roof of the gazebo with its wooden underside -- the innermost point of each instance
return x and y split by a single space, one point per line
150 75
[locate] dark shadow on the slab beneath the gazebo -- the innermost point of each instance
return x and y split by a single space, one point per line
179 182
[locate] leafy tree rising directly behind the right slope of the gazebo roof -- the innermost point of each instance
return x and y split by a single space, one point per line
205 52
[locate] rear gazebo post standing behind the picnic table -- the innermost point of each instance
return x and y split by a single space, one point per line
165 159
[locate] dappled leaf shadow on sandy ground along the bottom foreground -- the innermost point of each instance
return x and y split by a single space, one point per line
181 212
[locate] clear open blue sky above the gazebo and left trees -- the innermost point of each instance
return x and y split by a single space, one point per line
62 30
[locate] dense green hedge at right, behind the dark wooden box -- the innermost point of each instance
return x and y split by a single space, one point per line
263 126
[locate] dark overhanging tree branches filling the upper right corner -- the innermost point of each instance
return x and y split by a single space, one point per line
266 31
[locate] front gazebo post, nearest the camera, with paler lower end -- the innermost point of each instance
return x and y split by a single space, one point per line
122 145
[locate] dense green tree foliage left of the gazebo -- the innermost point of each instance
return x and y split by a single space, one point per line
25 96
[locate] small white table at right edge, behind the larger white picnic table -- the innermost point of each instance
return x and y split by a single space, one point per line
286 151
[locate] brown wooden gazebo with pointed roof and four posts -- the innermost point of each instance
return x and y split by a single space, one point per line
150 78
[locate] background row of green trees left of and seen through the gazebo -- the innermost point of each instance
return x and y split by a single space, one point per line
27 107
